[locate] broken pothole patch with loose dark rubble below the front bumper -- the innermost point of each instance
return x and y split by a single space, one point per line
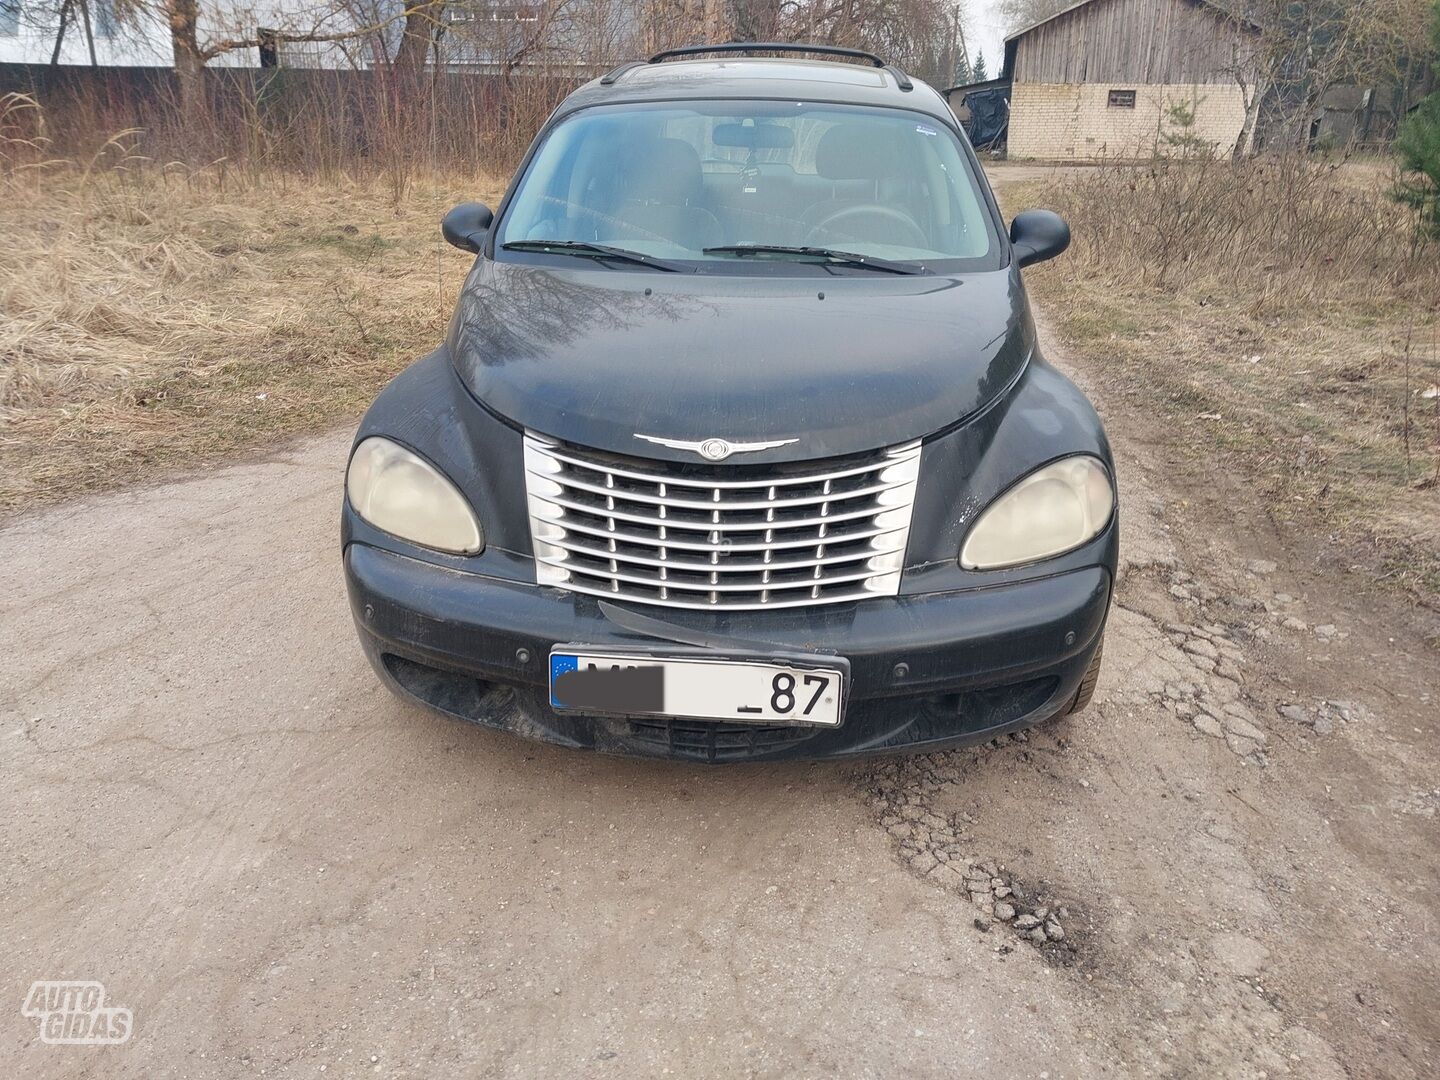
906 797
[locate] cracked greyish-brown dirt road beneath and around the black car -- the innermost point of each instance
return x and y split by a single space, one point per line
212 809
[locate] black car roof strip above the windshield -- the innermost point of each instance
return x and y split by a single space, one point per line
764 78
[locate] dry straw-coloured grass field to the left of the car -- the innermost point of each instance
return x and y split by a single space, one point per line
156 319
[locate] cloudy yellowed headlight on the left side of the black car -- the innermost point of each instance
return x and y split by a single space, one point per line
404 495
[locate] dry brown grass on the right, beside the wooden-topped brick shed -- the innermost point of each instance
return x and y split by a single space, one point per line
1279 318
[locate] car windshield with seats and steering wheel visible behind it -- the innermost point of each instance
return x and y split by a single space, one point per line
702 182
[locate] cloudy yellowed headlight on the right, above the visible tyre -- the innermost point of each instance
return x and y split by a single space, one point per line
1050 512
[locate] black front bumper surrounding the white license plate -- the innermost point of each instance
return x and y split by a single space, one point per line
927 672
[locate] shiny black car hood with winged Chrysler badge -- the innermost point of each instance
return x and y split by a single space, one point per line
830 365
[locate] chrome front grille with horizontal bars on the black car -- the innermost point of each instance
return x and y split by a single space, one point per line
721 536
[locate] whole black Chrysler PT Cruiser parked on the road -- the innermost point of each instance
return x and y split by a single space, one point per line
741 444
